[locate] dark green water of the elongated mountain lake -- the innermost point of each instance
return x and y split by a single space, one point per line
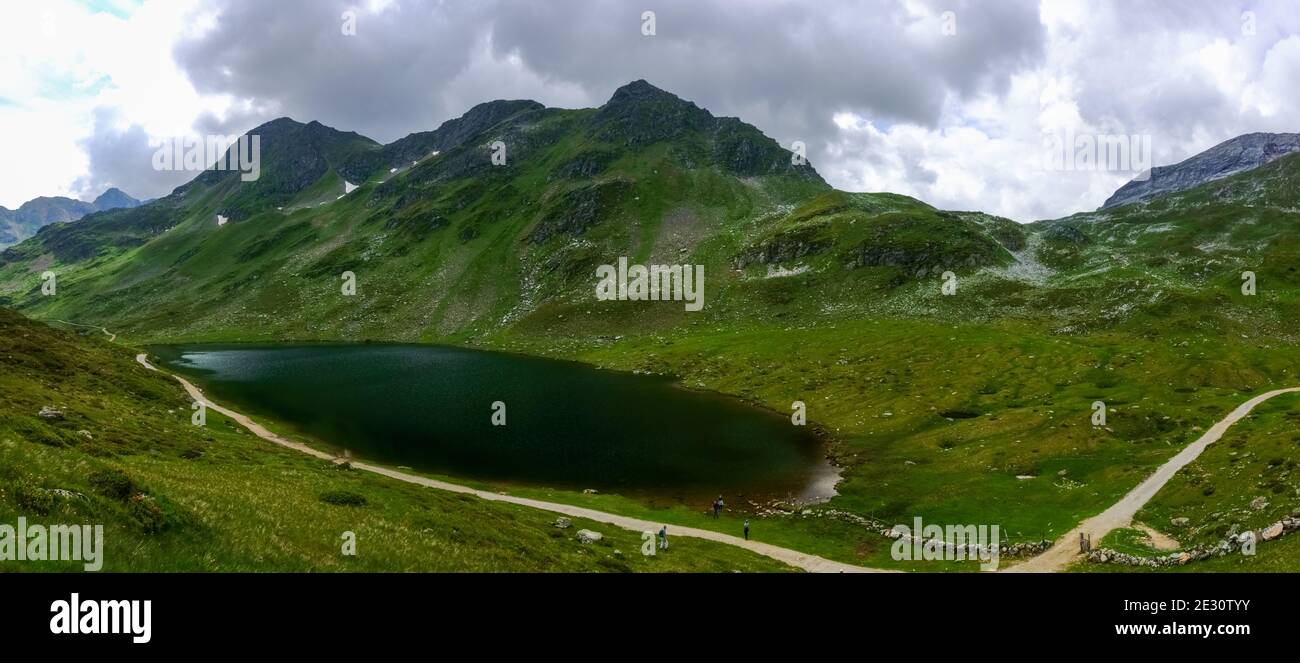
567 426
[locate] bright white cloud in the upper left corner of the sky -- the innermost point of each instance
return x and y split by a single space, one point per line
67 71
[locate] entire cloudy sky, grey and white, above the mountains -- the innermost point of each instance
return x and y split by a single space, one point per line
947 101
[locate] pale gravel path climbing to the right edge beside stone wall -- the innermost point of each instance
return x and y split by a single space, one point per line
1067 549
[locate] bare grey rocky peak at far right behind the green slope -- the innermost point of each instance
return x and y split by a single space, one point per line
1242 154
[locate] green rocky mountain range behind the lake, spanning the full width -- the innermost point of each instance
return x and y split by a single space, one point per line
448 242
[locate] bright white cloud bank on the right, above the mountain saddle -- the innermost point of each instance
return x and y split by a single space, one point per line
1191 80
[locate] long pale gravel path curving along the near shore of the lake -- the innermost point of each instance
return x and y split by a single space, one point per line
782 554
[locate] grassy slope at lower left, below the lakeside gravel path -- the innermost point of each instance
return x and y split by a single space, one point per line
175 497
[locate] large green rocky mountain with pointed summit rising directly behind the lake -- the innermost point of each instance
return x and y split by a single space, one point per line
454 246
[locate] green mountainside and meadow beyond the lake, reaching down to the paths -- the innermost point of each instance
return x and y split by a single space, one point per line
964 409
